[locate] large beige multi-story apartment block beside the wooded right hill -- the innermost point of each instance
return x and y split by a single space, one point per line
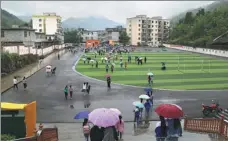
147 30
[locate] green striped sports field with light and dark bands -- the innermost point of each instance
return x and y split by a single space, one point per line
185 71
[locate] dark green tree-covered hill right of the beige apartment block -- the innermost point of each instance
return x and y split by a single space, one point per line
201 28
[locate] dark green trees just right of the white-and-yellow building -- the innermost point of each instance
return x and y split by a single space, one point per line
72 36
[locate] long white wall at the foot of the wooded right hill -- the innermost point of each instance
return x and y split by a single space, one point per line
207 51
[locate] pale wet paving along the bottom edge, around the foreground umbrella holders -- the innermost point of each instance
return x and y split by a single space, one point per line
72 132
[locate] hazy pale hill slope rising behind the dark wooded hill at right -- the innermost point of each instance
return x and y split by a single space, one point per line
210 7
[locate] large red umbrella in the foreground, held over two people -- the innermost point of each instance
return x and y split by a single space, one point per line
169 111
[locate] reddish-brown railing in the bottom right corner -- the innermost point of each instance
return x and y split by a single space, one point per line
218 126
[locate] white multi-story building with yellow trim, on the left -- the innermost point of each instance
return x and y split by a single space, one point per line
49 24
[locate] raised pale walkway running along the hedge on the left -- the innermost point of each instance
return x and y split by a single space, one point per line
6 81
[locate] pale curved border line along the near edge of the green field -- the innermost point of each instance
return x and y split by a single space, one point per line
75 64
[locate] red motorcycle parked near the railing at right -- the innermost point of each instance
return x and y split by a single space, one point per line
214 108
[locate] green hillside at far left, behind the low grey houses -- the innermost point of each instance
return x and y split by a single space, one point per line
8 19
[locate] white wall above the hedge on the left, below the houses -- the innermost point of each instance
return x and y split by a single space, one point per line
22 50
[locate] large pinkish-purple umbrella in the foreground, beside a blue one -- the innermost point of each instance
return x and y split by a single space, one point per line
103 117
